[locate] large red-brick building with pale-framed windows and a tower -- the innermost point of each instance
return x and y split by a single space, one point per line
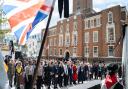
88 35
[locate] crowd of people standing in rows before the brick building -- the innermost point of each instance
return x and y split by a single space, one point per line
53 73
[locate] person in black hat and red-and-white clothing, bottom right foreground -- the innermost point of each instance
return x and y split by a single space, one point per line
111 80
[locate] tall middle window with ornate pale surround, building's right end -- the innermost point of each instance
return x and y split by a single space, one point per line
110 35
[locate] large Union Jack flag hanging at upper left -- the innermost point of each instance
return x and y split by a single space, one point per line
23 16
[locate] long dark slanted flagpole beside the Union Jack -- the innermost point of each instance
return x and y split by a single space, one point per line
42 44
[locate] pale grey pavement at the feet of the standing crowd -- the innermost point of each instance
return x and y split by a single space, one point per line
85 85
